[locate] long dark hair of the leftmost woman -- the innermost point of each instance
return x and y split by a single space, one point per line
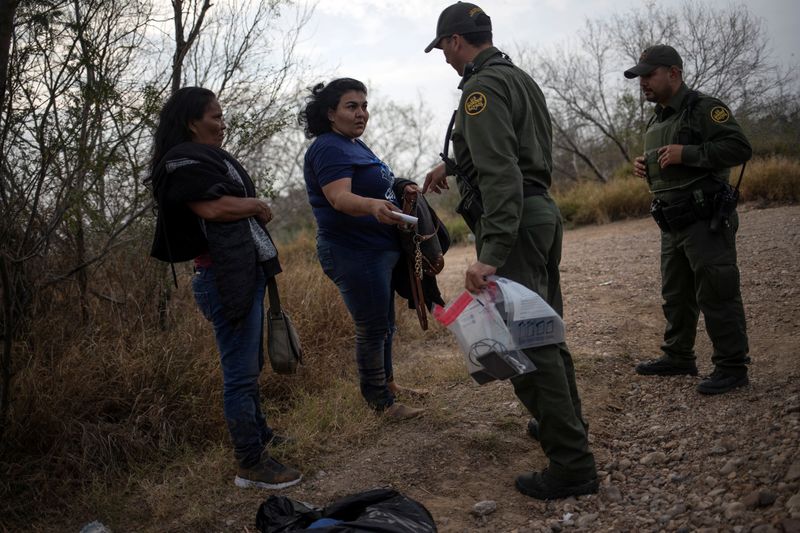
184 106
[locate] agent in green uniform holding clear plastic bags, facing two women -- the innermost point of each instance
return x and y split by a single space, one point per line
502 141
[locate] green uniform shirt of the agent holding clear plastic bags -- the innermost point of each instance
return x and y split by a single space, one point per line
502 137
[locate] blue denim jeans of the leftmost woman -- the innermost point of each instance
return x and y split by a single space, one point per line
242 357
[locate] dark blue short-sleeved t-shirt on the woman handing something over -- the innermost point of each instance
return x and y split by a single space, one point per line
332 157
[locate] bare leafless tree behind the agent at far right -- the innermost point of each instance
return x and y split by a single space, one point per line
599 117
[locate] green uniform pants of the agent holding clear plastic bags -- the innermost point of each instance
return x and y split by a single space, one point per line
549 393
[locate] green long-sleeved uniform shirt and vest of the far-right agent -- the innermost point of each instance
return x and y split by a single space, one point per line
712 143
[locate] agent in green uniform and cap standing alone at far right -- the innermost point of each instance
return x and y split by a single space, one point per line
691 143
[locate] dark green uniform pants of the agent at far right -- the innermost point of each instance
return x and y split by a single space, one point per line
699 273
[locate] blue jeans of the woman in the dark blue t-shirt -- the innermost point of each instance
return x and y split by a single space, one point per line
364 277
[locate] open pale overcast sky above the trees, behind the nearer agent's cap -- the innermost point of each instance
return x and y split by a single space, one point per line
381 42
